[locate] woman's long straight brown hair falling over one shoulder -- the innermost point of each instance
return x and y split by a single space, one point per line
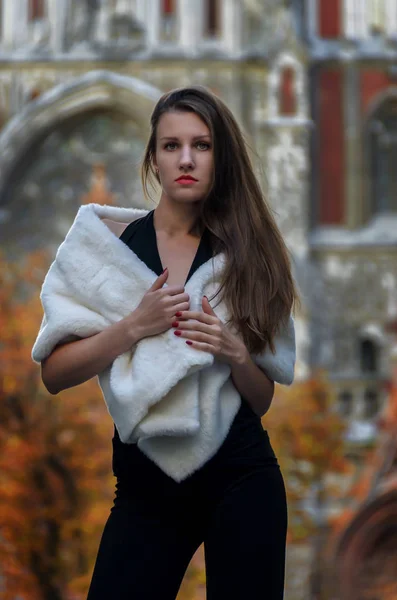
257 284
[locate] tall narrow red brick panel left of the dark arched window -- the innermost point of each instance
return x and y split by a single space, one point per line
331 161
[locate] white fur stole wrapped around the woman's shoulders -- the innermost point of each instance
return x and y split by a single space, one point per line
175 402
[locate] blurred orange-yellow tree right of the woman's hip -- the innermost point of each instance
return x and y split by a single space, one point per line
307 435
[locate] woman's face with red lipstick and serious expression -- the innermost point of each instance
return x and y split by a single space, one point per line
184 156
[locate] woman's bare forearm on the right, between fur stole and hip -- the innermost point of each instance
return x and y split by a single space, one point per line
252 383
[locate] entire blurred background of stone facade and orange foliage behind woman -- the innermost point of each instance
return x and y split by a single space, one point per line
313 84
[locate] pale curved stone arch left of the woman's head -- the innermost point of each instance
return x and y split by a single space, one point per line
93 90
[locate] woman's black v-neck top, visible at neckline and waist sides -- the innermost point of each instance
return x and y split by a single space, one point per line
246 430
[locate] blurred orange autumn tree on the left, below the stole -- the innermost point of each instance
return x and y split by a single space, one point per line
55 454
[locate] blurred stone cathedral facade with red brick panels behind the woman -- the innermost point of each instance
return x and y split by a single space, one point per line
313 84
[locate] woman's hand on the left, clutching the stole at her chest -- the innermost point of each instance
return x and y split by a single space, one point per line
158 307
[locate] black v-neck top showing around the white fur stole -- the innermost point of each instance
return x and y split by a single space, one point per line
140 236
